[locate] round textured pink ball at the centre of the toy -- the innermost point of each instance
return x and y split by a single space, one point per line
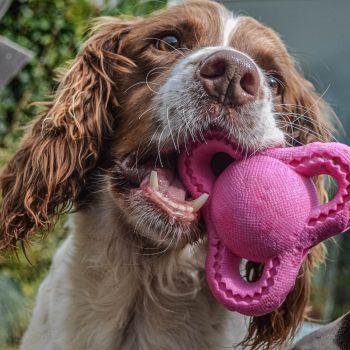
254 201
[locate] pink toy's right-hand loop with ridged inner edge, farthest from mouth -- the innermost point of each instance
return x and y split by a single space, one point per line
315 159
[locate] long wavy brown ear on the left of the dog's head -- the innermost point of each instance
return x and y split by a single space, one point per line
46 175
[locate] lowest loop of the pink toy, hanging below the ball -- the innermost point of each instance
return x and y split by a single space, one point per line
250 298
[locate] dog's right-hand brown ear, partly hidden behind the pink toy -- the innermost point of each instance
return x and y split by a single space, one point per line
311 118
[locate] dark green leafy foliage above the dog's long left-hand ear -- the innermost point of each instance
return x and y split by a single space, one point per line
53 30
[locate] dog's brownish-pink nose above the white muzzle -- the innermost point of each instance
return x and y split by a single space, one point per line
231 77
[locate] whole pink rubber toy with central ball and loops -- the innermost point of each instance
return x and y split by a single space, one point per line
264 209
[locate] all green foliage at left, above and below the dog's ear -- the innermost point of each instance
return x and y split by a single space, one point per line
54 31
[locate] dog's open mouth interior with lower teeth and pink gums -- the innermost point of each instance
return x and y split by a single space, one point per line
159 181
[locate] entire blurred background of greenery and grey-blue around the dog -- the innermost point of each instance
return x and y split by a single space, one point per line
36 37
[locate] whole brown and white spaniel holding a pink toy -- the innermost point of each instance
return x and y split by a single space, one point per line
130 275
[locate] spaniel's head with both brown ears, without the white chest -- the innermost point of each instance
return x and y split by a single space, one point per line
136 94
